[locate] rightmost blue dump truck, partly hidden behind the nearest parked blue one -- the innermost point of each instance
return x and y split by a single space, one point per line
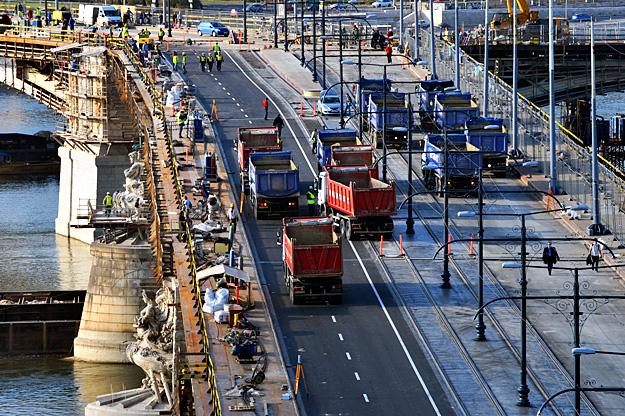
488 135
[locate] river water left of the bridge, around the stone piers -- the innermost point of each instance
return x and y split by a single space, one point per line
35 258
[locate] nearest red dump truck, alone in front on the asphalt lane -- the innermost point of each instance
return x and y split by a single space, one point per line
313 260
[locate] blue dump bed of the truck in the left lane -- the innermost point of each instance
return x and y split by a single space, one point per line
273 174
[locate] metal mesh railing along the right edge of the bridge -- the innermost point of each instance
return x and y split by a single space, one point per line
574 160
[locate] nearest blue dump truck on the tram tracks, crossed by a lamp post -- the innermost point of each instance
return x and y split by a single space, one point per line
463 164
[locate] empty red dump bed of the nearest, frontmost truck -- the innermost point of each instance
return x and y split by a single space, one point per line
311 248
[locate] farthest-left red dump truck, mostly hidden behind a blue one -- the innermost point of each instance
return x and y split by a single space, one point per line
255 139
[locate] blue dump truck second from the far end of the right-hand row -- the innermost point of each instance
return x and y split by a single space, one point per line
453 109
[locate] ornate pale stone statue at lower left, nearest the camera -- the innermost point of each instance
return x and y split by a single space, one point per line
155 334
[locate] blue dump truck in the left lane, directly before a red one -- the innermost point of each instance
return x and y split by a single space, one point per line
274 185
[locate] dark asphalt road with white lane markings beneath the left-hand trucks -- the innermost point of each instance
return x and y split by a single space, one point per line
361 357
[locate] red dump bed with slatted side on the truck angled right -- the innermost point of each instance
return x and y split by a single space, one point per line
354 192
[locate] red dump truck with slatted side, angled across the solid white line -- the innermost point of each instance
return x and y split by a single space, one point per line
358 203
